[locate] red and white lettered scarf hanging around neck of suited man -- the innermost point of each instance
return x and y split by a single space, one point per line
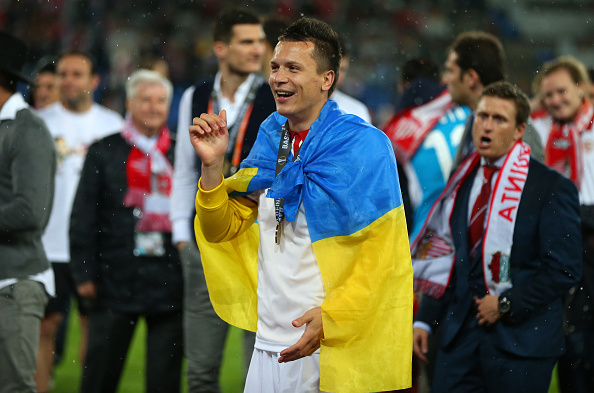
433 253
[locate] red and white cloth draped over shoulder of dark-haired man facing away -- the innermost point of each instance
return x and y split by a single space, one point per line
408 129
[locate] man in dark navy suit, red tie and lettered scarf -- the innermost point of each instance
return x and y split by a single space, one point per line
507 249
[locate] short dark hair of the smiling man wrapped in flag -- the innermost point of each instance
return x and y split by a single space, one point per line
327 53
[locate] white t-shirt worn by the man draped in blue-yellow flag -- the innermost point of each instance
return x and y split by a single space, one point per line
289 279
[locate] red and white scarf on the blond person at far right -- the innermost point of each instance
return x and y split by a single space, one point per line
564 150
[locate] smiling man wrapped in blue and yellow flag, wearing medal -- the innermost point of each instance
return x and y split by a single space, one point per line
307 243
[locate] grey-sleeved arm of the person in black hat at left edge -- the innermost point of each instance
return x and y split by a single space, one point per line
33 169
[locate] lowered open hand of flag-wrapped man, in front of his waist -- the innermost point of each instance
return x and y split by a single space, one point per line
310 340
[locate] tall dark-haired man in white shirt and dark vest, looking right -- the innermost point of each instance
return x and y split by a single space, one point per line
247 99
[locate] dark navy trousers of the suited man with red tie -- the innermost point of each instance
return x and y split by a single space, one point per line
471 363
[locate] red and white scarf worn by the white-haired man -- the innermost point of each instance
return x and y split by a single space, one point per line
149 174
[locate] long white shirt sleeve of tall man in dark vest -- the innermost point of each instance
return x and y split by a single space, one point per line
185 175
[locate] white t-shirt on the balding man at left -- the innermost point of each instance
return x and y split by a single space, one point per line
73 133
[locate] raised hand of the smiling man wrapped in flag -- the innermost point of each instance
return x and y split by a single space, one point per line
210 137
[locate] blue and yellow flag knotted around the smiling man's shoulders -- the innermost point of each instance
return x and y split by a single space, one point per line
346 178
